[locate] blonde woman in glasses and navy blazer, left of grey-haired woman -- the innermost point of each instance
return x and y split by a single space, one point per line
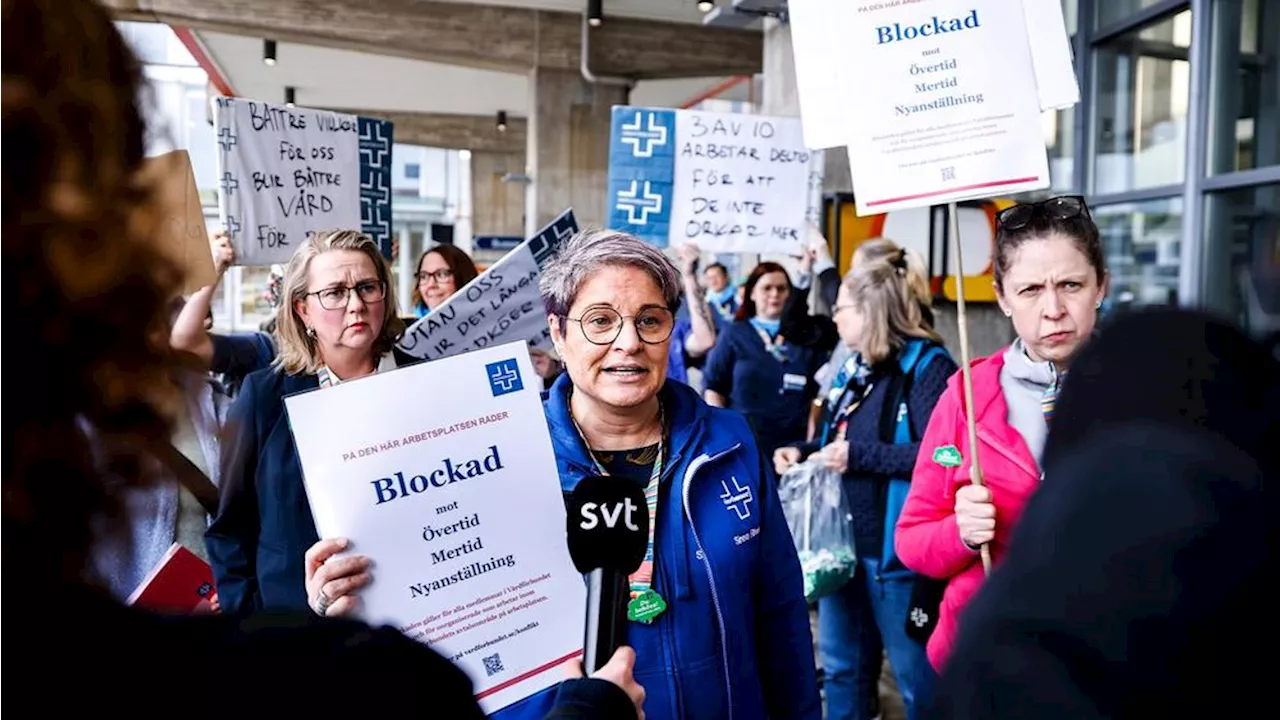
337 323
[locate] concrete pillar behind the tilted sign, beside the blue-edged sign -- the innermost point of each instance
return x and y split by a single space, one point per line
569 148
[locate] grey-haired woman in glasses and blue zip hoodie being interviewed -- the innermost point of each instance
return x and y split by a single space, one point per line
721 628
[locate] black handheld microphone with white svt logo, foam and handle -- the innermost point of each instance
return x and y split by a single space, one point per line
609 535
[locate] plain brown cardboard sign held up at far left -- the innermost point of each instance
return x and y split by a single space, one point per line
184 235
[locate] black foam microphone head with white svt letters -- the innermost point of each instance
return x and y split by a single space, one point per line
609 526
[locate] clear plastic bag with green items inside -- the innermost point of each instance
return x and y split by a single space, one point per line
813 502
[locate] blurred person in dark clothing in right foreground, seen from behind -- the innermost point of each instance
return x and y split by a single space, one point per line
1137 585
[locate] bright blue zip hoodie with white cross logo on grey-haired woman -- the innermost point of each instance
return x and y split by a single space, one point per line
735 642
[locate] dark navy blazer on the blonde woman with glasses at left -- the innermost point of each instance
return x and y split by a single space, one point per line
263 530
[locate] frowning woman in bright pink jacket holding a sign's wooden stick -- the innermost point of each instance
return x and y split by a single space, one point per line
1052 281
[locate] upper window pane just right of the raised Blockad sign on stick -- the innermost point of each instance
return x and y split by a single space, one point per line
1141 94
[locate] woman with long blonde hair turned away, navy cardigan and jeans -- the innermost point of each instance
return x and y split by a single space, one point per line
876 411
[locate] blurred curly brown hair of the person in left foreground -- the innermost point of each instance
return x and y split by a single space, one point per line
89 289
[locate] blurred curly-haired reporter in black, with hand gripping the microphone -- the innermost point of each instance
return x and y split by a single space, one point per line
81 266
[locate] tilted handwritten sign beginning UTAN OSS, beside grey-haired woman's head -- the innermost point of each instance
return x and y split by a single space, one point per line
499 307
